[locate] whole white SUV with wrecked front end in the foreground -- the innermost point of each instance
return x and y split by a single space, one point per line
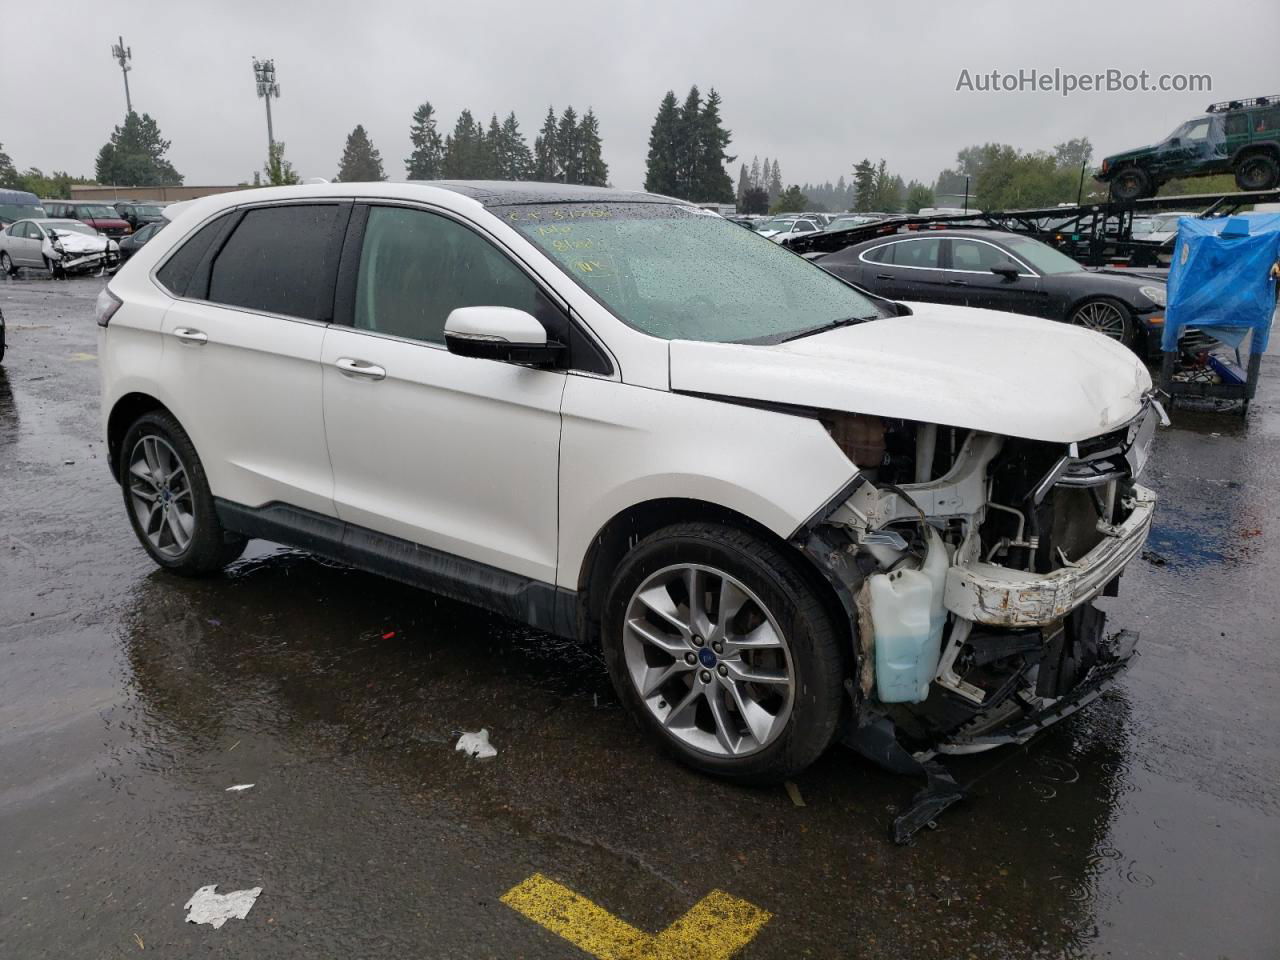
785 509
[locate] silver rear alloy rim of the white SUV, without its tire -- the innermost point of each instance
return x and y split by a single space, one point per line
162 496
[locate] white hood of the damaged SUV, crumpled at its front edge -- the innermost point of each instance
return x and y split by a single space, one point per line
957 367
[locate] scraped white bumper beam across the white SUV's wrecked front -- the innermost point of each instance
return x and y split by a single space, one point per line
988 593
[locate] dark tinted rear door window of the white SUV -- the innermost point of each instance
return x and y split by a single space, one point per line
281 260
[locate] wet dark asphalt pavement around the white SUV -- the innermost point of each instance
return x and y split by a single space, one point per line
130 701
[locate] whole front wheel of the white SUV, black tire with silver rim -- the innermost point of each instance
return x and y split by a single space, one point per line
794 721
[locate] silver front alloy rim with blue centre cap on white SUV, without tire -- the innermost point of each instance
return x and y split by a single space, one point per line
708 660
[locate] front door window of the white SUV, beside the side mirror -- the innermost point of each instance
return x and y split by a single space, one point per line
417 268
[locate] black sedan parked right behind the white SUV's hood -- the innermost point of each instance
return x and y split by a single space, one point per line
1002 271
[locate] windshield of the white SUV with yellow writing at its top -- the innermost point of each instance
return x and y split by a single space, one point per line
679 275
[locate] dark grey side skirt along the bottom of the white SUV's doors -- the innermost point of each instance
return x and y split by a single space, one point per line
542 606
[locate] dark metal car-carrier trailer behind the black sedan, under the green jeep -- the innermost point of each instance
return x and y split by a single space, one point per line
1095 235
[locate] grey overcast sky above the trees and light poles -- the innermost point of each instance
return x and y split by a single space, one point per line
817 85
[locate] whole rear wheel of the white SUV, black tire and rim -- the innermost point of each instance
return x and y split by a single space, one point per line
159 463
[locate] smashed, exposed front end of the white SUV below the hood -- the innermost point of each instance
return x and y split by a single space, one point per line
971 564
